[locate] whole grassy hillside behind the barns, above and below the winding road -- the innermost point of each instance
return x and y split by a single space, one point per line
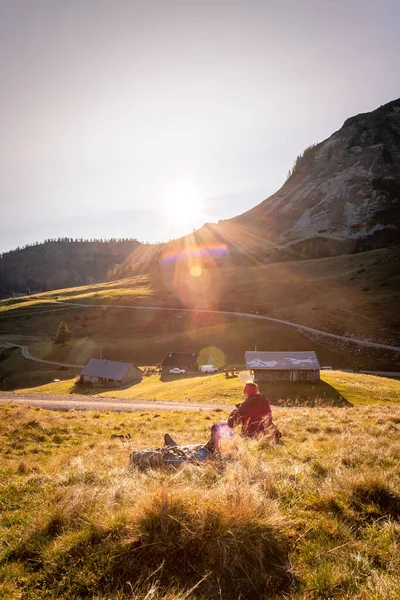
356 295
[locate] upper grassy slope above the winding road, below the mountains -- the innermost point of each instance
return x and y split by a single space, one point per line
353 294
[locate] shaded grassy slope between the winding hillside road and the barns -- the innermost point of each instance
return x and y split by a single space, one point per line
145 337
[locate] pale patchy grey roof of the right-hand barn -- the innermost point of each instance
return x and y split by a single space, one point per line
277 361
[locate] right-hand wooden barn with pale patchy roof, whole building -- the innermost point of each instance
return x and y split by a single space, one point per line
283 366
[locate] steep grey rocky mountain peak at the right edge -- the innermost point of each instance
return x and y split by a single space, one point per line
343 194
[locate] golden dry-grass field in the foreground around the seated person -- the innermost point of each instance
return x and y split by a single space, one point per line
317 517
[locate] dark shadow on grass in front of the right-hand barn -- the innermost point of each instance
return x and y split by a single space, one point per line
285 393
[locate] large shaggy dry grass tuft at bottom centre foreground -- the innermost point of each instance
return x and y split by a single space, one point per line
235 542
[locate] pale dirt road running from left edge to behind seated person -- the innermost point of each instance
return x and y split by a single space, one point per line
104 403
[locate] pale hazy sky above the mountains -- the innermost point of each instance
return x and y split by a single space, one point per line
112 113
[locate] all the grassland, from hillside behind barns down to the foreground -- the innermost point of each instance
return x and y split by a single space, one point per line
316 517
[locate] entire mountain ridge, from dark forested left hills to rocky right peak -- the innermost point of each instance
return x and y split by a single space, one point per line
341 197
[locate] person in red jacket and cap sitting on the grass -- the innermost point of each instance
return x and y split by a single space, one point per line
254 414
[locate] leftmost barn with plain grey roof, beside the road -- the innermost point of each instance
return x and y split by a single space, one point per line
110 373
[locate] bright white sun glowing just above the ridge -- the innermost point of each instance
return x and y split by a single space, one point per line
183 206
